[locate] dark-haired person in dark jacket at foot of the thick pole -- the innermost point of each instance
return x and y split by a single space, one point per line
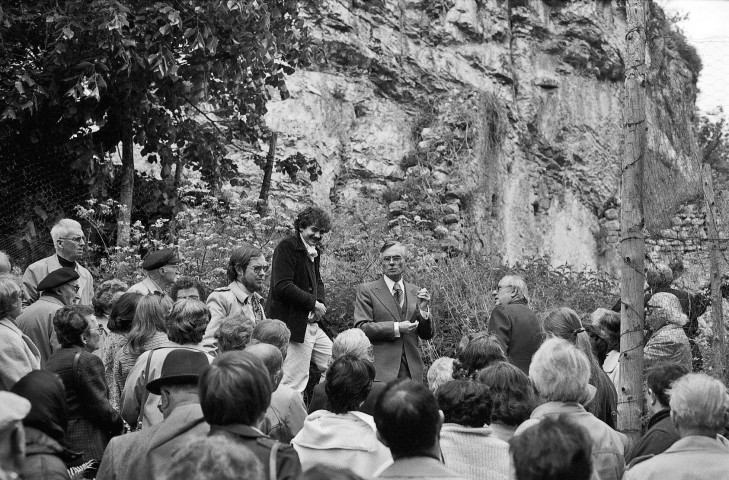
660 433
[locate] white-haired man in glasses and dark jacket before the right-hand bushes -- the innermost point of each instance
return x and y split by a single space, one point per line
513 323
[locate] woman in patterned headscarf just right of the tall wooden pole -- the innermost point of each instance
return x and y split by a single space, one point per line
669 342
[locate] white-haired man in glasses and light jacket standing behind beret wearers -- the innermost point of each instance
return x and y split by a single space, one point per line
69 242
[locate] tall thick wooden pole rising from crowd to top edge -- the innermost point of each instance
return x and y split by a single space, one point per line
632 241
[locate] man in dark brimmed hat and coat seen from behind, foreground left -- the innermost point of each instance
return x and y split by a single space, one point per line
146 454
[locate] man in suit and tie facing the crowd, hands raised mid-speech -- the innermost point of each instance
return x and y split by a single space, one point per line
393 314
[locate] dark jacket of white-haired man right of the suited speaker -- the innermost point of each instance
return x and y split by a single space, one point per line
518 331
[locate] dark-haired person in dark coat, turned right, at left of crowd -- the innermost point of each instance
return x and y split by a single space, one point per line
92 420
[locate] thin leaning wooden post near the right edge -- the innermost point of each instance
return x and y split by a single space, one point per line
717 315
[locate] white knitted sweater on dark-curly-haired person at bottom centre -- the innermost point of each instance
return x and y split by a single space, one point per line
474 453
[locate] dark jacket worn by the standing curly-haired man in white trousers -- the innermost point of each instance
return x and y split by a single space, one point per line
296 286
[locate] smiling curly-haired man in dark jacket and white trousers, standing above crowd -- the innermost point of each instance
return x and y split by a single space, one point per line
296 296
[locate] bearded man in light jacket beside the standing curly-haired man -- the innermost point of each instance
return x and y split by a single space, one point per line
247 270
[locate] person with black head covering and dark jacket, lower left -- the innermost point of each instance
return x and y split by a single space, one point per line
46 454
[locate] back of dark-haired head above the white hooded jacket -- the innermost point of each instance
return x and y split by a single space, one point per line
349 381
